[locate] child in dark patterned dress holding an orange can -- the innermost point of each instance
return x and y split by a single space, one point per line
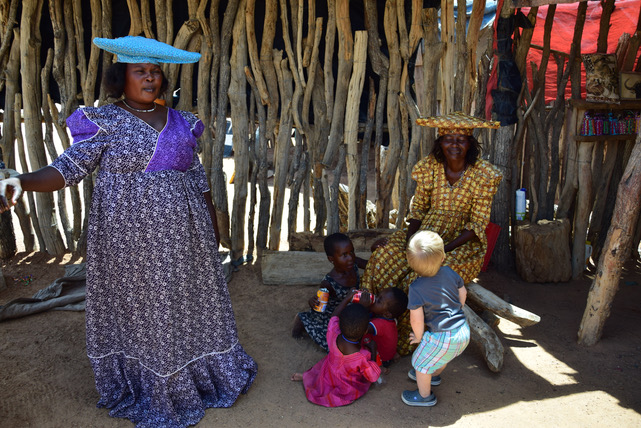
340 281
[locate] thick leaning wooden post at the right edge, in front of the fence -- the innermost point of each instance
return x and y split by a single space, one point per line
617 247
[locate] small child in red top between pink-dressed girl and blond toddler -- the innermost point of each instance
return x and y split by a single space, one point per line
390 304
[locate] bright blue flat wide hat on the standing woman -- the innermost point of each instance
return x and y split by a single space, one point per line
136 49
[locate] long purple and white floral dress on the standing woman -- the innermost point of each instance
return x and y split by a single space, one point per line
161 333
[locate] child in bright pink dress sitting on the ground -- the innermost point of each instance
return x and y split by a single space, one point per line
346 373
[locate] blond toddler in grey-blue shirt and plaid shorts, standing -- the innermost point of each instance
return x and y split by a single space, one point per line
436 299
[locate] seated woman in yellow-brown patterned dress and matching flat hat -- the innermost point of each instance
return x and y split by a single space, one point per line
453 198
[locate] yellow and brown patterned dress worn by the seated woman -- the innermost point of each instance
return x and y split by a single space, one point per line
447 210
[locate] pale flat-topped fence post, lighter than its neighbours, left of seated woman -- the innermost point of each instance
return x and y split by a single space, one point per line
351 127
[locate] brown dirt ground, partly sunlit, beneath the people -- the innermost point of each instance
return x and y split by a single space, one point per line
547 379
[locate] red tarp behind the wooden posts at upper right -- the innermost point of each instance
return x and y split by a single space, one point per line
623 20
